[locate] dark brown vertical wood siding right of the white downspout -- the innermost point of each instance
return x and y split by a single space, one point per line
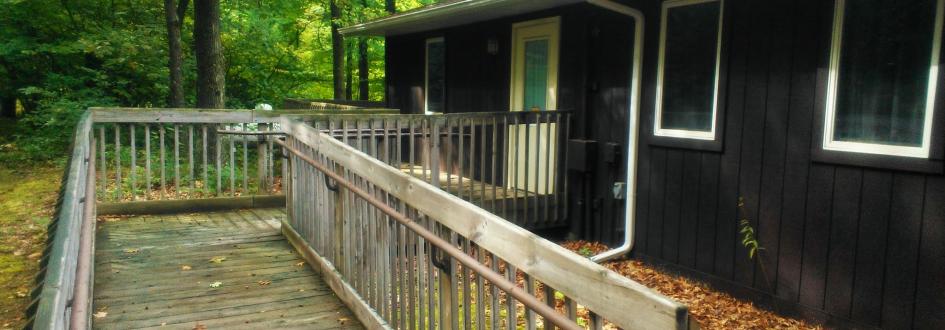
841 242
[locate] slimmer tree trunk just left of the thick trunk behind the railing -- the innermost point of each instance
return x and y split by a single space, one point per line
174 19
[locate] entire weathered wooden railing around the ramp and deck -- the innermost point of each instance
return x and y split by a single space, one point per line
394 238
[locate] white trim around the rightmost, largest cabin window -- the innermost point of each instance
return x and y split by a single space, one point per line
833 75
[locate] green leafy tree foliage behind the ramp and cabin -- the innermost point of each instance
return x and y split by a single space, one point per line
60 57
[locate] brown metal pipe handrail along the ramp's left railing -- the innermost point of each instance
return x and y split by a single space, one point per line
83 282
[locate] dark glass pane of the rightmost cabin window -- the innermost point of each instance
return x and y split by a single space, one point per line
884 71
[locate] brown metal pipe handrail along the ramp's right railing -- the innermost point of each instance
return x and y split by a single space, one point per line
497 279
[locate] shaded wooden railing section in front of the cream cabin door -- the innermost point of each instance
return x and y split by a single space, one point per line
510 163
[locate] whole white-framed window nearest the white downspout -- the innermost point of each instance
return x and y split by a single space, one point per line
687 81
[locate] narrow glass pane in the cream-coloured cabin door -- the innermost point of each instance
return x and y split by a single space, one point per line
536 74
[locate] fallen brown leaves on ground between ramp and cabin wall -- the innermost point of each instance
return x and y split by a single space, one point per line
711 308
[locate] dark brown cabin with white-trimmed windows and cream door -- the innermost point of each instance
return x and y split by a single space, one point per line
824 117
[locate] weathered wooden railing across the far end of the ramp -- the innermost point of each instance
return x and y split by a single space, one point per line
158 154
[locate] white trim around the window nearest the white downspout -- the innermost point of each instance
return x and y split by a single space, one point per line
657 123
